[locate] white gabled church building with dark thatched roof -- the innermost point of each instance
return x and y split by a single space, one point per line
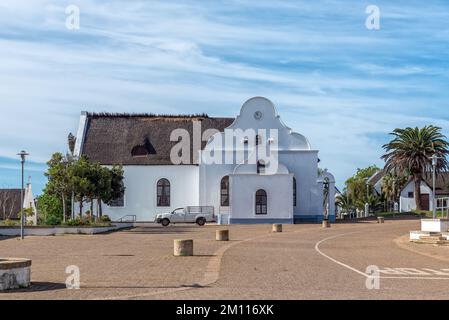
251 169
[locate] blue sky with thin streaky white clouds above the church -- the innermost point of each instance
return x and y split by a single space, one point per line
343 86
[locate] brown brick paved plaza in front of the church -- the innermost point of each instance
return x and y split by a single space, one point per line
303 262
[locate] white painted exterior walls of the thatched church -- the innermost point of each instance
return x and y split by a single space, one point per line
200 185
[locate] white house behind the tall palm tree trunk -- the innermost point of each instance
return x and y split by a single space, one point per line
407 201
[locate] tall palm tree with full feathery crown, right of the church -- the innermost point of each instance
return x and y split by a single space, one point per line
410 151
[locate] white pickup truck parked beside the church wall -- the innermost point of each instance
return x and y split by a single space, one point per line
192 214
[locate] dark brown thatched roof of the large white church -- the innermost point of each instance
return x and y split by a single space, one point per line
140 139
